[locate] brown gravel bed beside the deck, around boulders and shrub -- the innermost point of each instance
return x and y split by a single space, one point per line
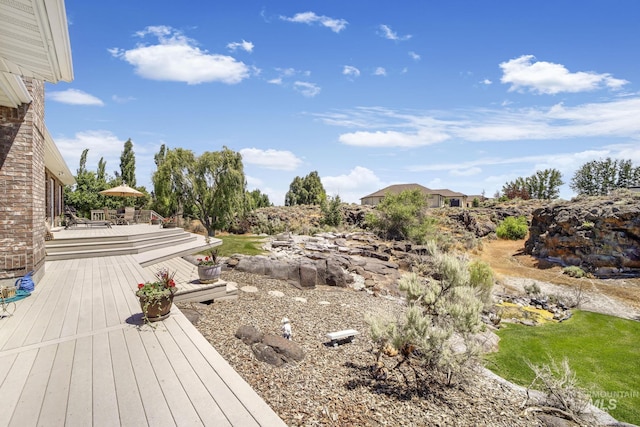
334 386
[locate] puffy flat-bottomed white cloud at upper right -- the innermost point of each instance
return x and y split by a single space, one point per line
548 78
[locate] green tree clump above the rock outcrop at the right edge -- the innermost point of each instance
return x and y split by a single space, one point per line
600 177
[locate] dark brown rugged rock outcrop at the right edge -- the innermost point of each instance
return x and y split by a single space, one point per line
600 235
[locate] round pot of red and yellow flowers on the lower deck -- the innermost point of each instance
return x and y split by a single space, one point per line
156 297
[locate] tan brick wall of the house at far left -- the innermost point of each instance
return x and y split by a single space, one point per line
22 186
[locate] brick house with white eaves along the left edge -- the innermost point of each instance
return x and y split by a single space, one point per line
34 49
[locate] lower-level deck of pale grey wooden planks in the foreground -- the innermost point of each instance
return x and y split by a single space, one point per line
76 353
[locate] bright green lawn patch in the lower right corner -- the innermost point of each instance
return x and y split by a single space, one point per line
603 351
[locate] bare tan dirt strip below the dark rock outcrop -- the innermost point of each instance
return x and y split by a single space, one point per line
514 269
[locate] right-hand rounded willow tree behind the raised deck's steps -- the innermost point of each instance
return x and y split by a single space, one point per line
215 188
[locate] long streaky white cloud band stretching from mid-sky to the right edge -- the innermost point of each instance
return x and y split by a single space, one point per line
382 127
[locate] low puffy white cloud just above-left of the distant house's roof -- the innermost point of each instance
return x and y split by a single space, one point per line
359 182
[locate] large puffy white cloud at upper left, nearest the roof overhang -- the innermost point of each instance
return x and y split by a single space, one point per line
176 57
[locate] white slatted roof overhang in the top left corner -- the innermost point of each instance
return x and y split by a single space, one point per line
34 43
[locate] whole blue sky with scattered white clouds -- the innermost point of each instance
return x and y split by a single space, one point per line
463 95
